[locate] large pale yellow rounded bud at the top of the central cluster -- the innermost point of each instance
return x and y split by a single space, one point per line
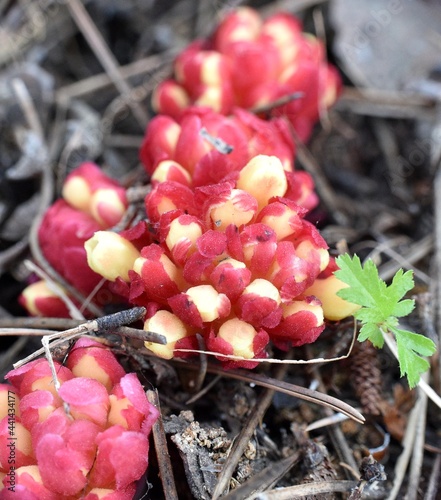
263 177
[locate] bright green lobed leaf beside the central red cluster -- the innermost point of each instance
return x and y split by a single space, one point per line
381 306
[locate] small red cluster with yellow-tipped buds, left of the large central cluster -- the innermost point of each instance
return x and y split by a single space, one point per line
91 201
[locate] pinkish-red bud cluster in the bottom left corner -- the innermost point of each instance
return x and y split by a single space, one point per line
88 439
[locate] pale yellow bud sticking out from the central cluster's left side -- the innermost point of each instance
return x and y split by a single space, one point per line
110 255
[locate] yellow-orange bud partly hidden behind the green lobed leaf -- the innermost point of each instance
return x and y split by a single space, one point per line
334 307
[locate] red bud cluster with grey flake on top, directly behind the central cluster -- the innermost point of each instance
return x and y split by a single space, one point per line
206 148
